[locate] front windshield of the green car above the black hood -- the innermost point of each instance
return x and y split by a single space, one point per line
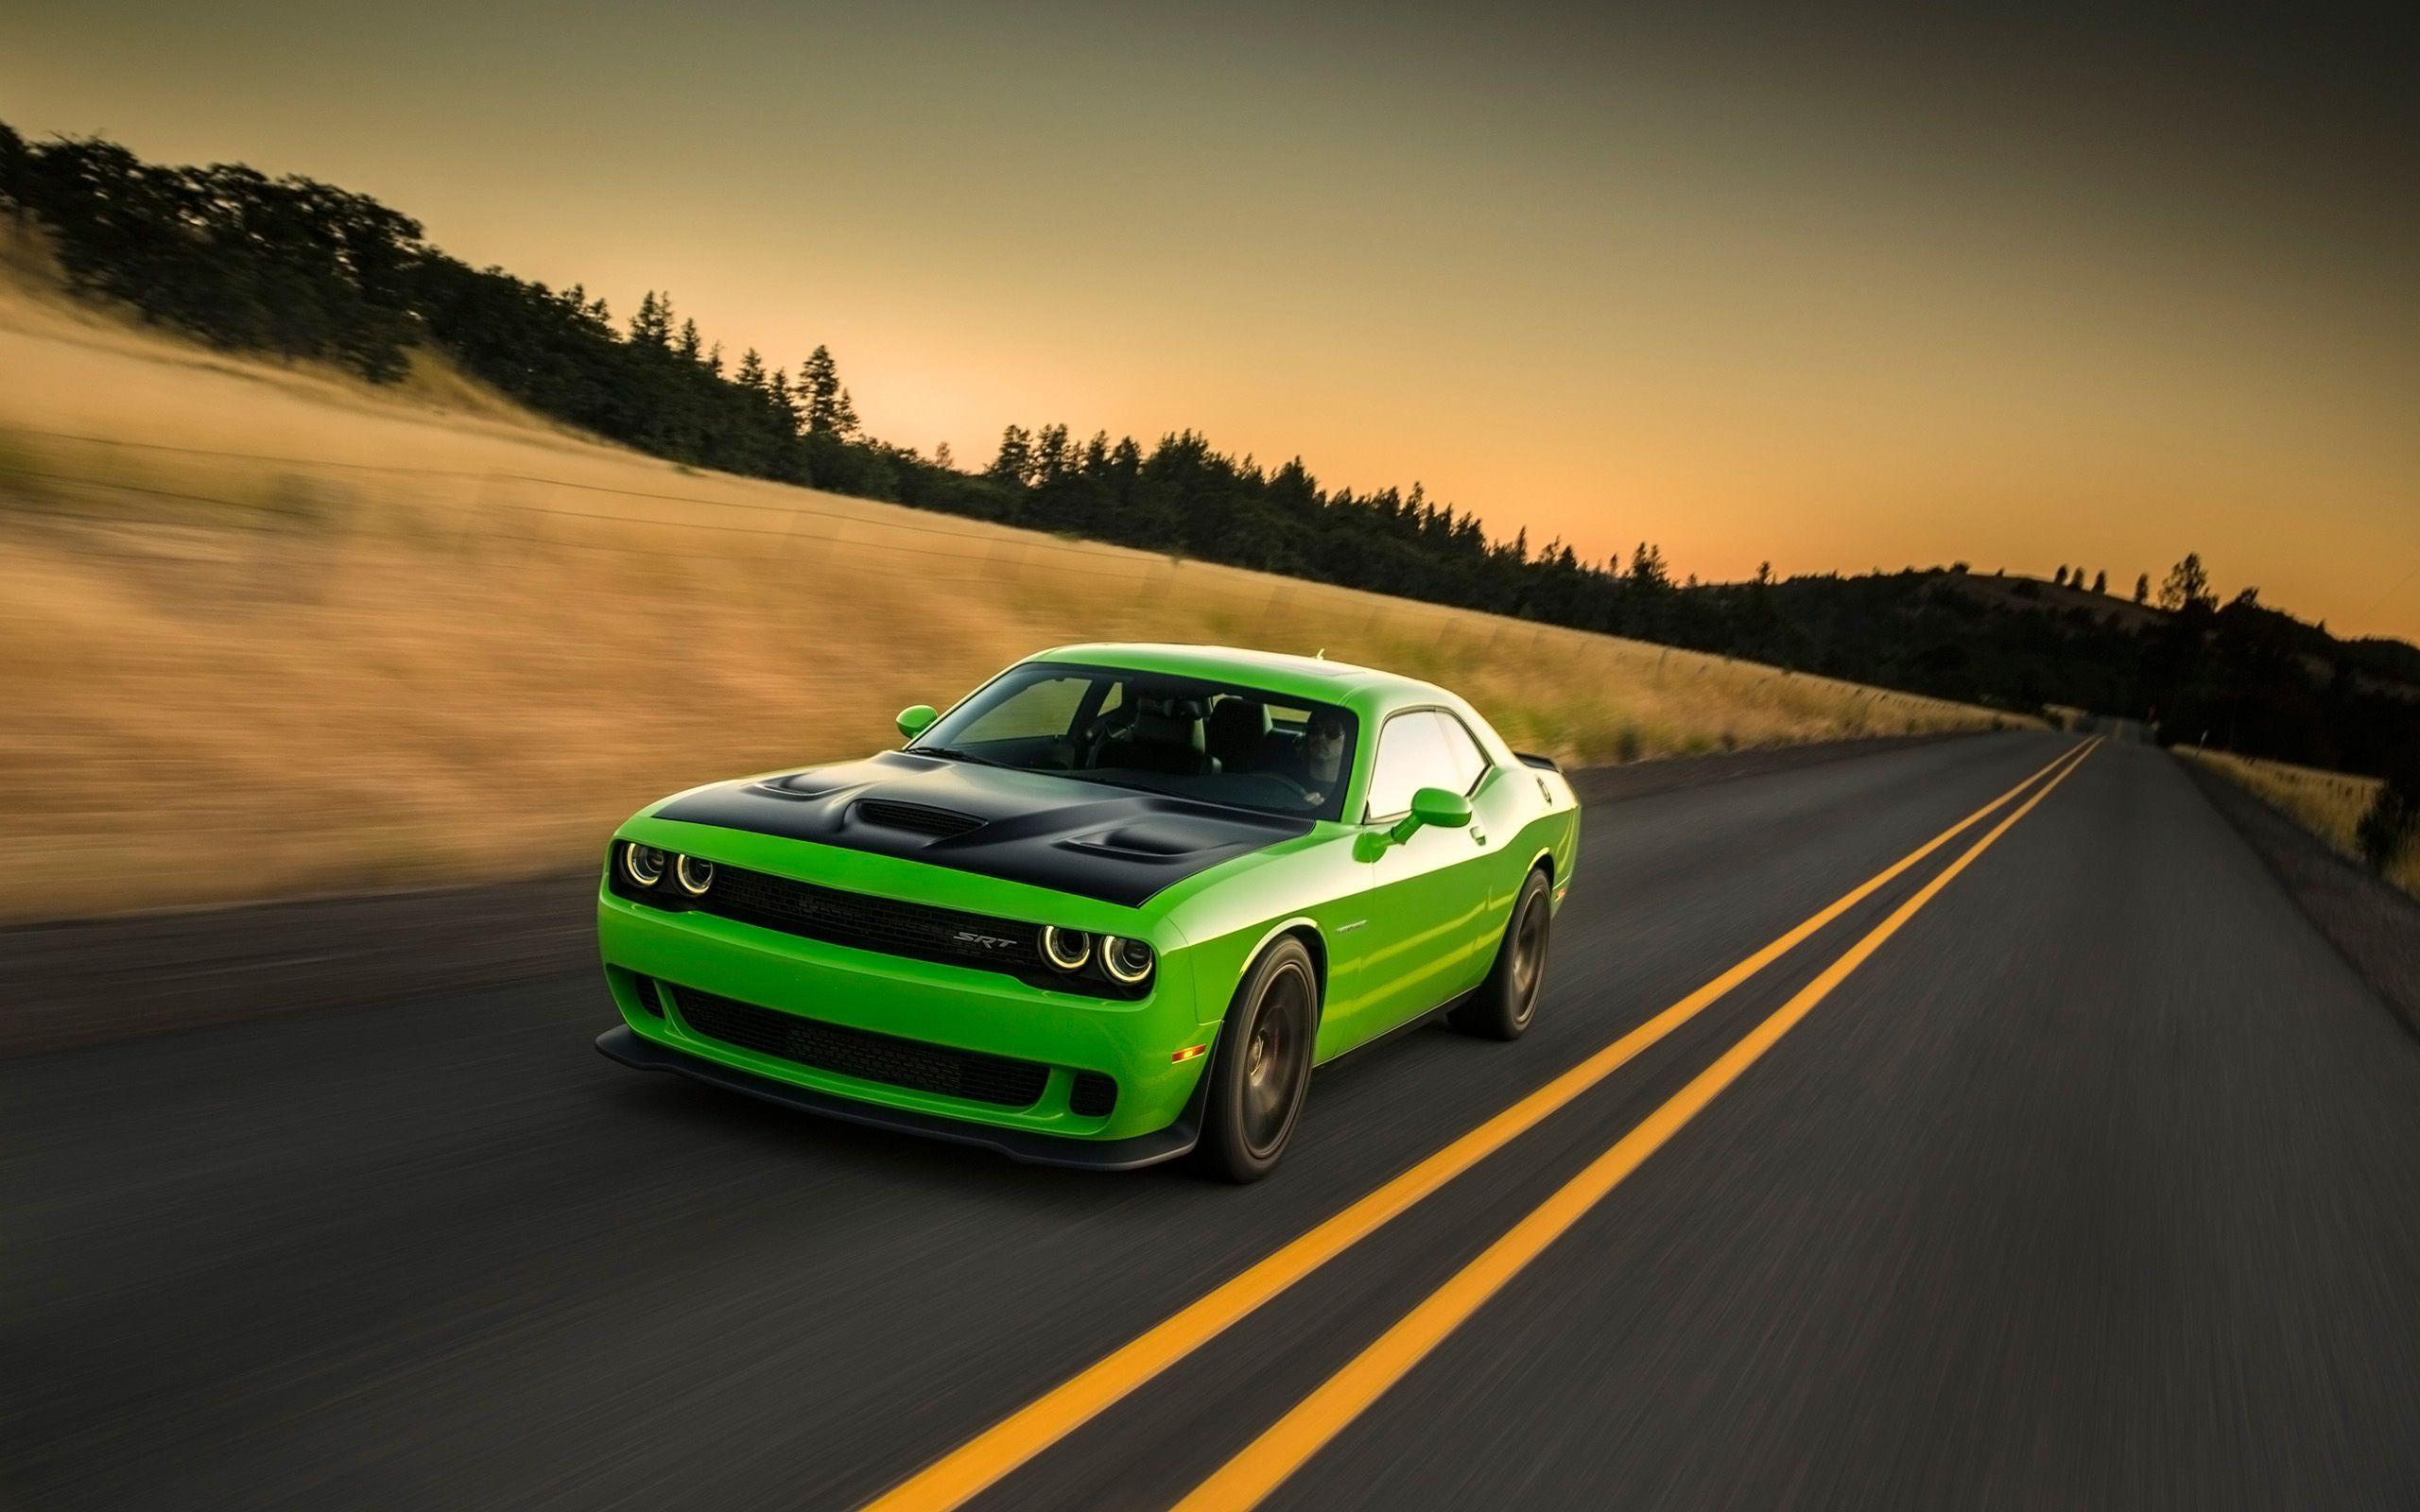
1160 734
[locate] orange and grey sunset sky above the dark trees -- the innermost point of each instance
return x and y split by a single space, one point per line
1826 287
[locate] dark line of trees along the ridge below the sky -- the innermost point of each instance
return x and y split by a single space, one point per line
311 272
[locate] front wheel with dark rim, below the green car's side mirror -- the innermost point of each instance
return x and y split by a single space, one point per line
1262 1068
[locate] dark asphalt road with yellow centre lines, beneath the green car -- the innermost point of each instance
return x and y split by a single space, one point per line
1855 1162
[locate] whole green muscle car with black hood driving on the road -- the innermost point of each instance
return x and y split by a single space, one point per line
1107 911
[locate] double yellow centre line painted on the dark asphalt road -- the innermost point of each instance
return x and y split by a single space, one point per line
1269 1460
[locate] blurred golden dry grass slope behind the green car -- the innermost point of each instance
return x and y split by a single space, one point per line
277 633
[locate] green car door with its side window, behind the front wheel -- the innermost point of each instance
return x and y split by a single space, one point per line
1427 896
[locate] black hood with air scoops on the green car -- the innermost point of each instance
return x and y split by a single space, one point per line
1018 826
